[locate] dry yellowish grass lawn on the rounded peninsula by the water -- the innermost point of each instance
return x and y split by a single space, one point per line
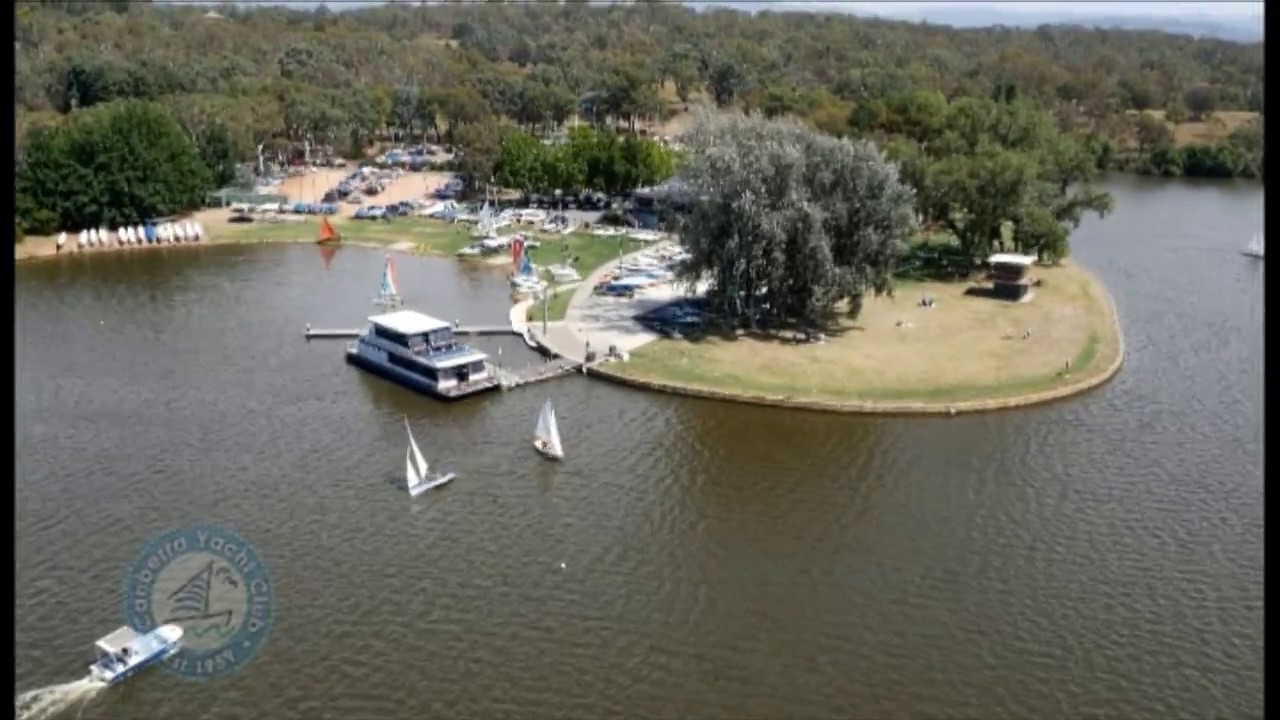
966 348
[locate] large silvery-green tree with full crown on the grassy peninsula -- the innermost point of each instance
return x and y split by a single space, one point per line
788 222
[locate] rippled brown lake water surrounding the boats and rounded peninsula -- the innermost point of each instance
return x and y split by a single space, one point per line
1101 557
